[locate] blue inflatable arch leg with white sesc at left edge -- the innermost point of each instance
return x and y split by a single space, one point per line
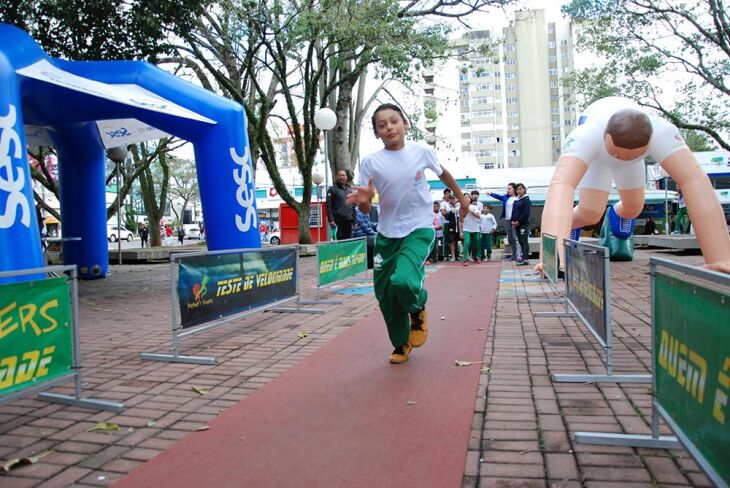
20 240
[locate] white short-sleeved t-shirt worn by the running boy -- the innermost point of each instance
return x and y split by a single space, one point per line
400 178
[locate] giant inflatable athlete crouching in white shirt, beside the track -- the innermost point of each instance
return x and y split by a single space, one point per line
613 138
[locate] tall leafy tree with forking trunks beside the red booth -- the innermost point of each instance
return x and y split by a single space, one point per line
305 55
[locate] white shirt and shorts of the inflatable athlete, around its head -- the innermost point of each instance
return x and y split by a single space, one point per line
586 143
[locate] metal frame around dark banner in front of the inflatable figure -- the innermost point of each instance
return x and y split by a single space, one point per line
576 312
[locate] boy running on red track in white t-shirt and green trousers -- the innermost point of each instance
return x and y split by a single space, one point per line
405 231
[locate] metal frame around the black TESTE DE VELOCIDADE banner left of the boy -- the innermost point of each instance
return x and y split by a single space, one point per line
175 356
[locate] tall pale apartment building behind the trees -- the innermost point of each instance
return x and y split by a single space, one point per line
513 109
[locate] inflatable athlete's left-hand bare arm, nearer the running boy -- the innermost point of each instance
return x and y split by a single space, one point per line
557 215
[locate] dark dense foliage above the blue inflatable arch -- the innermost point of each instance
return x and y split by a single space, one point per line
102 29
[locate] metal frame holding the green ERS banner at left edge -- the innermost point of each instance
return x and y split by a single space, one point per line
77 400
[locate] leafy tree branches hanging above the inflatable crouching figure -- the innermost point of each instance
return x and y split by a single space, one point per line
650 43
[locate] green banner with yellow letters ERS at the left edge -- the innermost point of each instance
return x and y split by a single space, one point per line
35 333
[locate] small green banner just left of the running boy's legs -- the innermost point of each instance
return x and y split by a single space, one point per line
341 259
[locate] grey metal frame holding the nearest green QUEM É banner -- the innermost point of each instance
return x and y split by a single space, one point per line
654 440
